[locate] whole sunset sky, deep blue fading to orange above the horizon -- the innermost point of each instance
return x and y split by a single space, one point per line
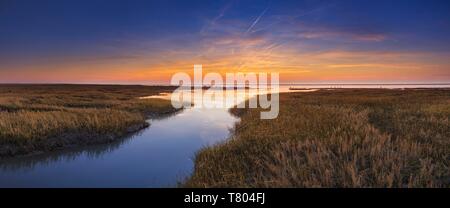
146 42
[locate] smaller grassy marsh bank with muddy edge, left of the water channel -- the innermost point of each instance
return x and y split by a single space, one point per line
39 118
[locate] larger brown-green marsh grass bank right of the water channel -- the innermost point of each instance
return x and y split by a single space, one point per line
336 138
